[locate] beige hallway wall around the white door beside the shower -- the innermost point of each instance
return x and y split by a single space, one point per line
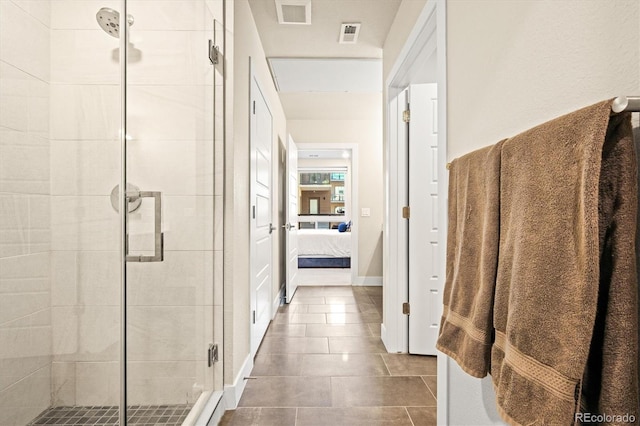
244 42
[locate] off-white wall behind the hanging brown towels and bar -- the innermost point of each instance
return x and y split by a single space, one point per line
512 65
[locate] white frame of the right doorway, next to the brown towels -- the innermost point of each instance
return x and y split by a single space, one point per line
427 37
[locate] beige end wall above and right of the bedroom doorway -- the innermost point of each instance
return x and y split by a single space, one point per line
367 134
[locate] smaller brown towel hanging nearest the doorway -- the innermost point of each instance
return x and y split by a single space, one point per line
466 328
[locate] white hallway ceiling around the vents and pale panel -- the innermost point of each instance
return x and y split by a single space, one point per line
320 40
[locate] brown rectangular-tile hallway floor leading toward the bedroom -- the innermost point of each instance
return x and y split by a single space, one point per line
322 363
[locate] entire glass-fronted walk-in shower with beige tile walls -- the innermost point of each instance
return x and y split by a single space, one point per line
110 299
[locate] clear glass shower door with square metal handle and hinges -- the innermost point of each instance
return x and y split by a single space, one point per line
169 239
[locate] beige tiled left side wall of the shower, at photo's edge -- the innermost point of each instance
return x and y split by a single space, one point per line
25 238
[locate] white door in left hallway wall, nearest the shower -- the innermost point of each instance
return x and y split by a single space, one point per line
261 222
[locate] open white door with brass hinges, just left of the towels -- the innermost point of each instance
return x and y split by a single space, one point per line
424 282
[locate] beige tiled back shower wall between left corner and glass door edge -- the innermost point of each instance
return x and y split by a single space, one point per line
85 108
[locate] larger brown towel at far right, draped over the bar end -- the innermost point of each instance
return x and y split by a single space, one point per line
565 306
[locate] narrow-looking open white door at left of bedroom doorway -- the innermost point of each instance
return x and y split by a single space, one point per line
291 241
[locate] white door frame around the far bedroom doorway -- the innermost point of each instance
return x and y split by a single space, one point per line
353 195
